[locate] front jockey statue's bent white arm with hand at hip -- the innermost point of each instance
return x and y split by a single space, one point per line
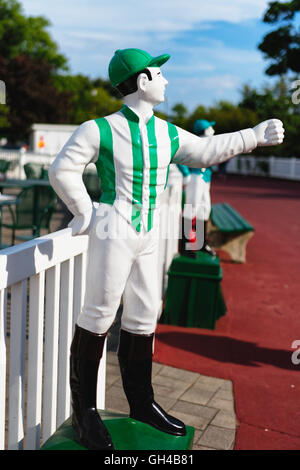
65 173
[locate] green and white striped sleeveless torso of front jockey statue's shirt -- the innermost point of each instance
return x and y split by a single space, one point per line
133 163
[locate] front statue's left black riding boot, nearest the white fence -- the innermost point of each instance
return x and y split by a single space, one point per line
86 352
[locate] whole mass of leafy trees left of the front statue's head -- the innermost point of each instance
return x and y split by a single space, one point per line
37 86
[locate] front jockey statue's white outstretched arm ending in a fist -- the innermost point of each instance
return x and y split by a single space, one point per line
198 152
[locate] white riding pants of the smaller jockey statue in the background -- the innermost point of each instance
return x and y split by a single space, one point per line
197 198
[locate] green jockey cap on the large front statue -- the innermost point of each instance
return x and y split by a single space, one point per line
127 62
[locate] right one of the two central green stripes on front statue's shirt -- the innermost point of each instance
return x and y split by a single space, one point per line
153 169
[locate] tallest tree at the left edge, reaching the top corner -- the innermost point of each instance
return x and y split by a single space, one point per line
29 59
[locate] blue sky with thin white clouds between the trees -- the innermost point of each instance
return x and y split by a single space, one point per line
213 45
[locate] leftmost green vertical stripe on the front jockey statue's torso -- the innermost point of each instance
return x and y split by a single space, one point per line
105 164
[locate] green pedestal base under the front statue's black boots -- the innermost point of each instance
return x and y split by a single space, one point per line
126 434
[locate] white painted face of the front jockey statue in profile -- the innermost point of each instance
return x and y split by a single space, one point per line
153 90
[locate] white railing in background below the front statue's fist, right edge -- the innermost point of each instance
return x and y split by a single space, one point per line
274 167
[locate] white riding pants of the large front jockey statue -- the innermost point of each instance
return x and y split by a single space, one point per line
124 262
